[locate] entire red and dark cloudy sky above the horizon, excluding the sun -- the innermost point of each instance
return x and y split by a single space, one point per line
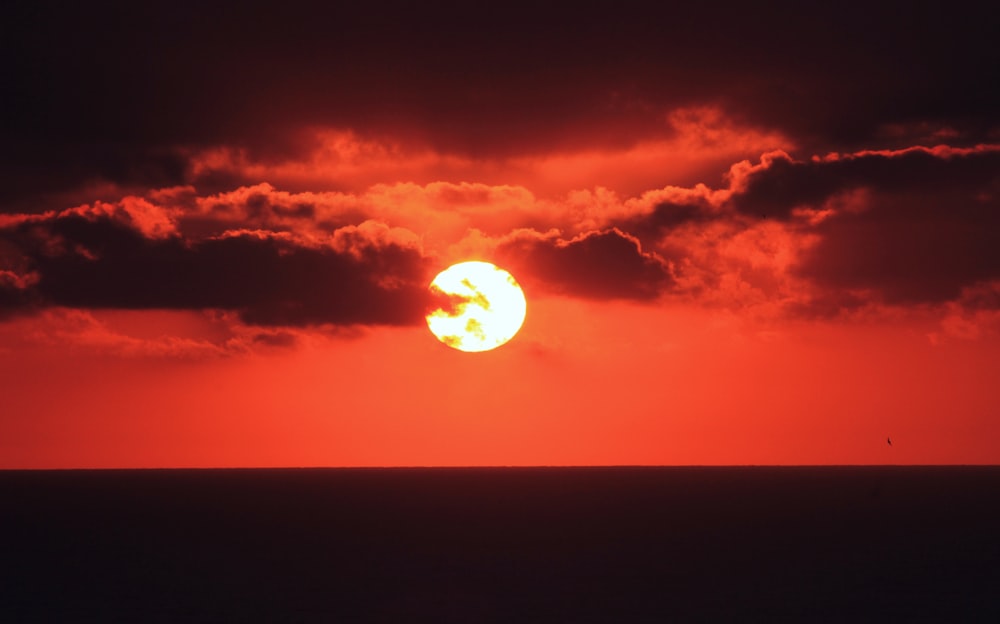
745 236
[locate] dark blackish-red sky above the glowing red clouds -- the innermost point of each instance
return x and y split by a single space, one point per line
118 90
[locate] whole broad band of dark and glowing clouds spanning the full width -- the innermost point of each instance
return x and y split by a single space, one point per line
821 236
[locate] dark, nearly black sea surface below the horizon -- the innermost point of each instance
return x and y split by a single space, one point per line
752 544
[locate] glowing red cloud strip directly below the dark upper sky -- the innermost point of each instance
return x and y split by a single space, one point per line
683 145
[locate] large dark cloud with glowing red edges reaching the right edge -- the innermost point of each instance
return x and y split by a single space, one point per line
833 233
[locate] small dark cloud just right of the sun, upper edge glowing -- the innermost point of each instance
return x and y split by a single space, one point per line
606 264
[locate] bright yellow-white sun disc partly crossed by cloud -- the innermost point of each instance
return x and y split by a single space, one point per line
482 308
